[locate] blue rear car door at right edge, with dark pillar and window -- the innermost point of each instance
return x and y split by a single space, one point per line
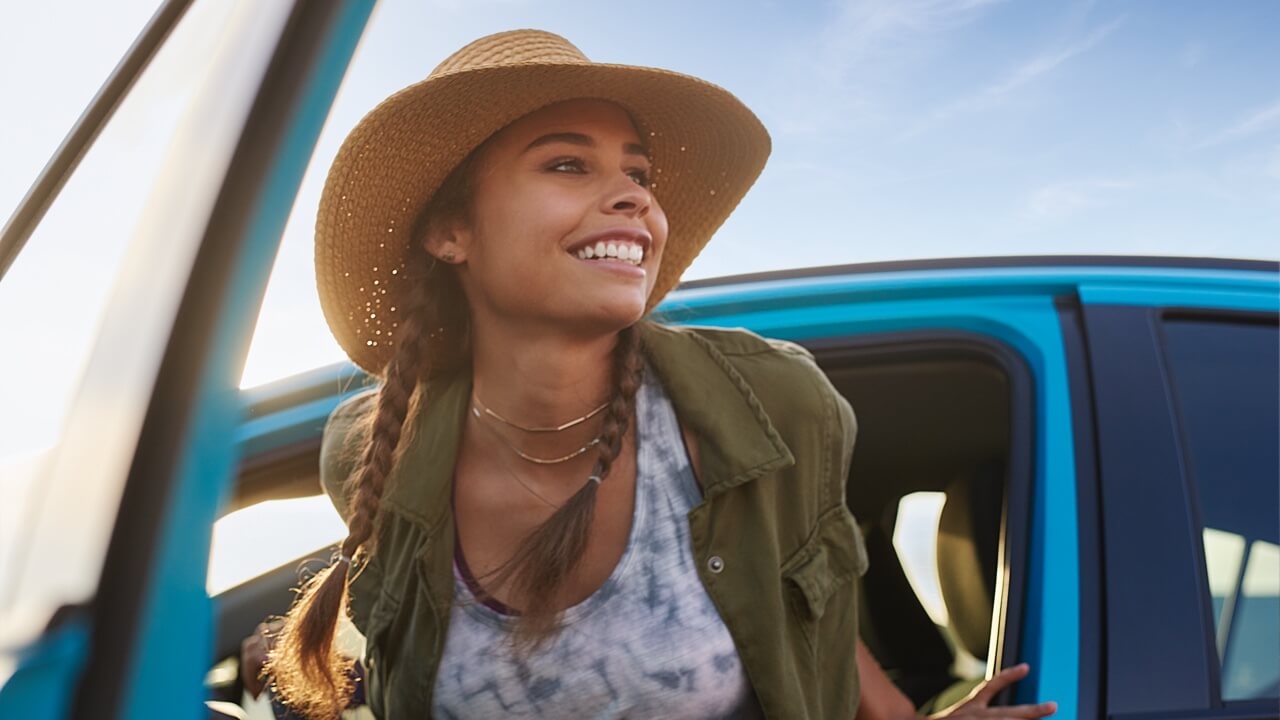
1185 385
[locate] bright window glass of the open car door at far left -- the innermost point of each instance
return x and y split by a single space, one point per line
53 297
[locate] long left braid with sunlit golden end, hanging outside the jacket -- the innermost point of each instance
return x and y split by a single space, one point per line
309 675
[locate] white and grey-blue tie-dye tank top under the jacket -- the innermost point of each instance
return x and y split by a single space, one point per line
648 644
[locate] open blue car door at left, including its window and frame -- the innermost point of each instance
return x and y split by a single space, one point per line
103 604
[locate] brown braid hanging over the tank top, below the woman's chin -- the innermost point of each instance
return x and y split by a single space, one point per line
550 555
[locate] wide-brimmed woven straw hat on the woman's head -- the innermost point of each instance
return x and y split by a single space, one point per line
707 149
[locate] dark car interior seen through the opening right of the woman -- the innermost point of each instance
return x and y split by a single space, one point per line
935 417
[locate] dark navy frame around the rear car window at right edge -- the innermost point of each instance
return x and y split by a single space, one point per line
1162 658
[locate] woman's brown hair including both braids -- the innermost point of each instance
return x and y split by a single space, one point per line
307 669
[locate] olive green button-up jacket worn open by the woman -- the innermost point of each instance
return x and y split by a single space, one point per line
775 443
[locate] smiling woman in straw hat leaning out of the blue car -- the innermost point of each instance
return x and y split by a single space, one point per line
557 508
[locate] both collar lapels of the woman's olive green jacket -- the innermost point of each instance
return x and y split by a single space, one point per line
737 439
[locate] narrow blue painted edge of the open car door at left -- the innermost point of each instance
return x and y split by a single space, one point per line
170 667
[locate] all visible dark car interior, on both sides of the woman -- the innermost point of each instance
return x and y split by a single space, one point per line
938 414
